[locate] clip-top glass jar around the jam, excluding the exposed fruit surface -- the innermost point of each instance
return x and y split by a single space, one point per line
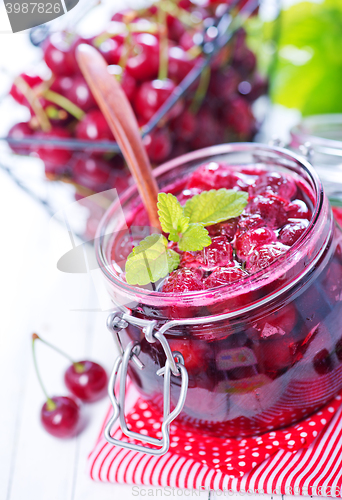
241 382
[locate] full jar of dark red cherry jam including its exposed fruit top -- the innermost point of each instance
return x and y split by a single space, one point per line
257 312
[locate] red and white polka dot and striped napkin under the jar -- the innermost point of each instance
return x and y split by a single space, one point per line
305 458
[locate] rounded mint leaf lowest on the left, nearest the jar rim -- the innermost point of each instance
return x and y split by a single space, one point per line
150 261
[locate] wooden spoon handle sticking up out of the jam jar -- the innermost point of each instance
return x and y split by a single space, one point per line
121 119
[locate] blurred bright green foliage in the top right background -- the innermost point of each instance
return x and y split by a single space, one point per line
309 65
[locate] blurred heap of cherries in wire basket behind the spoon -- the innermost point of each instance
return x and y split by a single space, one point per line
149 52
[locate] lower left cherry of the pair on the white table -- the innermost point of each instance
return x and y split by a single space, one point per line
60 416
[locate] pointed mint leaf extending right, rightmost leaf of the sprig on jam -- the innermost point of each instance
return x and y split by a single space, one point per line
211 207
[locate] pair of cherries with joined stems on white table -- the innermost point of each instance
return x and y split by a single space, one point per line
86 381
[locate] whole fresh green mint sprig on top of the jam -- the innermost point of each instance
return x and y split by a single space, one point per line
152 260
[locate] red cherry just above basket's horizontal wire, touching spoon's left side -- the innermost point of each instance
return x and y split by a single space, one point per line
94 127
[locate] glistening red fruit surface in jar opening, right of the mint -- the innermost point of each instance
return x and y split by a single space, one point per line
276 215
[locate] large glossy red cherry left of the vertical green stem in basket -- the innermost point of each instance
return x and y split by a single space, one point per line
145 64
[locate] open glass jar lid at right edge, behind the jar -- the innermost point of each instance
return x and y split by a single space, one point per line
319 137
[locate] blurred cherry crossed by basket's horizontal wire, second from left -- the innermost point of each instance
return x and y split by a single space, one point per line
56 158
